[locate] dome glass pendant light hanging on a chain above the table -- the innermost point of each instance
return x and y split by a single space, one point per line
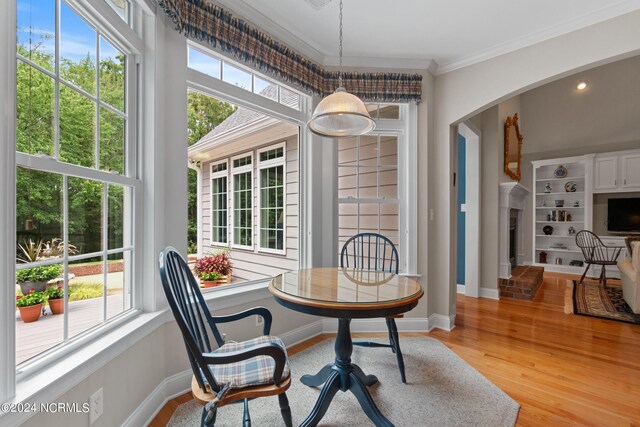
341 113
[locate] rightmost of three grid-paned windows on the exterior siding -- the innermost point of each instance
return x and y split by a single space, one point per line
272 214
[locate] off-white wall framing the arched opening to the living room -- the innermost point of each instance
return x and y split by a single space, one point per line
462 93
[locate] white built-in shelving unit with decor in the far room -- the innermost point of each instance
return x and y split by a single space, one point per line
556 208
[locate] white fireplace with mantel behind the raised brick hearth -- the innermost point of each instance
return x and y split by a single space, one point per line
511 243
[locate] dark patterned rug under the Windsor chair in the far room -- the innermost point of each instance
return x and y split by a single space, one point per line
593 299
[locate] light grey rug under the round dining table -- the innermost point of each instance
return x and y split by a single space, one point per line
441 390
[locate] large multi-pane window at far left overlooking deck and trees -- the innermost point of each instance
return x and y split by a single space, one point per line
76 178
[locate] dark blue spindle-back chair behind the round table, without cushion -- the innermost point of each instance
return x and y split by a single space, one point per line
372 251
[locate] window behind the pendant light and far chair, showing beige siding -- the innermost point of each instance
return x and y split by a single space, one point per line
373 196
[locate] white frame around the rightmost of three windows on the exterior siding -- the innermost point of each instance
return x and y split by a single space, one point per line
279 161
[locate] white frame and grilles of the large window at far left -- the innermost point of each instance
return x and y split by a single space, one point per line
107 23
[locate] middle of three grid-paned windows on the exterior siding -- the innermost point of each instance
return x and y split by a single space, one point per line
242 202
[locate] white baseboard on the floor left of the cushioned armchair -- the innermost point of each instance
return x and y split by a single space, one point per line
170 388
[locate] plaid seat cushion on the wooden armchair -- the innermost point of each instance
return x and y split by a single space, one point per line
255 371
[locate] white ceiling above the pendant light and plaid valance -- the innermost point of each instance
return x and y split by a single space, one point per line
440 35
